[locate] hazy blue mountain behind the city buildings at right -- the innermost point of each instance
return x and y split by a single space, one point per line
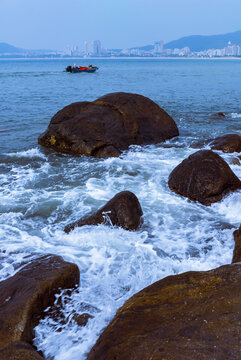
200 43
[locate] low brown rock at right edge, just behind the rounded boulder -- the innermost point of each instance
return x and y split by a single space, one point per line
228 143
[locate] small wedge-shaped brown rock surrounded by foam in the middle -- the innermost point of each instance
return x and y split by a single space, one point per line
123 210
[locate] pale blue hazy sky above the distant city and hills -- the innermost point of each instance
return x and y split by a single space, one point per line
55 24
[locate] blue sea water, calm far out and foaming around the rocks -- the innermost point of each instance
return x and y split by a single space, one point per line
41 191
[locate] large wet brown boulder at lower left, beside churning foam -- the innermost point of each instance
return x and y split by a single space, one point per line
25 296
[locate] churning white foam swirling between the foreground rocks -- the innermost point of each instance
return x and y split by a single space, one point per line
178 235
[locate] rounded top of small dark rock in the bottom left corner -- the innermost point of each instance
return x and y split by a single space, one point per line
19 351
